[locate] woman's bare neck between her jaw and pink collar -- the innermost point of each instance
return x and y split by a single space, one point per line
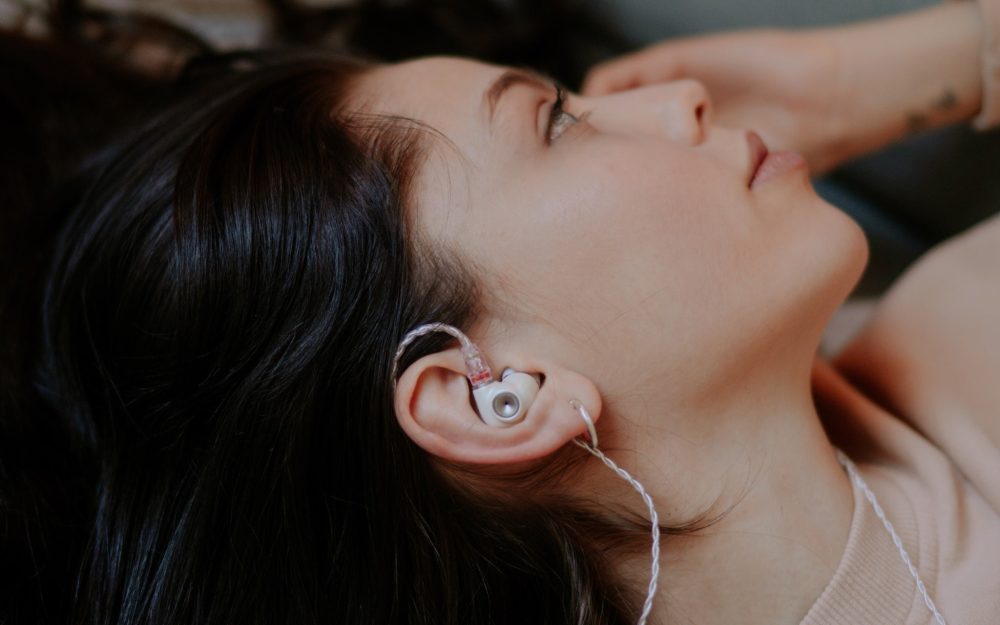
757 459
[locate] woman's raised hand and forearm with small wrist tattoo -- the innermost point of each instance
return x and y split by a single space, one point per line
830 93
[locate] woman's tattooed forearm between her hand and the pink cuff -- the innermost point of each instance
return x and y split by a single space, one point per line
906 74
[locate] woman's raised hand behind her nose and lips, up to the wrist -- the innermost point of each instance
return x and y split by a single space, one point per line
784 85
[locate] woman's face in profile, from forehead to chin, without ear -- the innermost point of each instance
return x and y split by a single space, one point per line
629 242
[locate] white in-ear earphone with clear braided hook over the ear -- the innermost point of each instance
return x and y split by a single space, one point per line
500 402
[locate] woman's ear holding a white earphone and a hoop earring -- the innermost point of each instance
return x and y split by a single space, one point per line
434 406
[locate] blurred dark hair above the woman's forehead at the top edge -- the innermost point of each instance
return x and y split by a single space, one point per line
564 38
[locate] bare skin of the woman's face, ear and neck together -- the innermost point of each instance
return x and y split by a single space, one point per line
632 265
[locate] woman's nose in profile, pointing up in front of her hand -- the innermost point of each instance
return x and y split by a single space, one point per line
680 110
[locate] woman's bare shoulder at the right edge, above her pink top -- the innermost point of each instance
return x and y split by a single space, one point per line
931 351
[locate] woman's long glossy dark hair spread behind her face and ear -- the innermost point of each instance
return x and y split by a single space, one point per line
197 418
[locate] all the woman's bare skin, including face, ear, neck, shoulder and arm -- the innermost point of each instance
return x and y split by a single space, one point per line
631 266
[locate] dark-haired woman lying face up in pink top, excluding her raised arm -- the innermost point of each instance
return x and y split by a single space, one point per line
230 285
